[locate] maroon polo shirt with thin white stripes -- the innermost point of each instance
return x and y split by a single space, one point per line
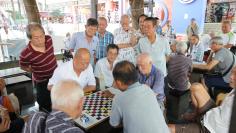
42 64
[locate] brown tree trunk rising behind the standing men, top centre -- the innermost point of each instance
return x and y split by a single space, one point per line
137 8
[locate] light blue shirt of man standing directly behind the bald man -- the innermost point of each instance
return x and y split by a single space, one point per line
79 40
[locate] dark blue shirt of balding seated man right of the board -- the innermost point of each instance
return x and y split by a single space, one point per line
155 80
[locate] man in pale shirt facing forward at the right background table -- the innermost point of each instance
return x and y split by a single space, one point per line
196 50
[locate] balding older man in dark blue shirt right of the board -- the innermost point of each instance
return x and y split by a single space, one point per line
151 76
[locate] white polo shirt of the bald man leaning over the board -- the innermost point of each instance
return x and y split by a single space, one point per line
65 71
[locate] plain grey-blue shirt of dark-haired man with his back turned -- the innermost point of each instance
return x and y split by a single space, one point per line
138 111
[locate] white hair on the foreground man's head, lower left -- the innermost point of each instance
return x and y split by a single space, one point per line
66 93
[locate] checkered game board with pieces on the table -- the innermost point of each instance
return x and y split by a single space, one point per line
95 110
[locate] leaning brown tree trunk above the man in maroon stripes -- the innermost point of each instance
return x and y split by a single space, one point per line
32 11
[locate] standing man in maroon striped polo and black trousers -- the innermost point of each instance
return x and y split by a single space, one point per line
39 59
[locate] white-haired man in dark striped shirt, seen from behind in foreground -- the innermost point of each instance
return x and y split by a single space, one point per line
67 104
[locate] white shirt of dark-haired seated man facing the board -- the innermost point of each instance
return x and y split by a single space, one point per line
102 68
